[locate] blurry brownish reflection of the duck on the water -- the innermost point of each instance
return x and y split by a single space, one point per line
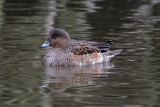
59 79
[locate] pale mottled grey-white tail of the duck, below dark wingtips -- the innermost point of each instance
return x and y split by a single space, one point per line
109 54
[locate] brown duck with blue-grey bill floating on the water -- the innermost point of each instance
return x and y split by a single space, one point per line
67 51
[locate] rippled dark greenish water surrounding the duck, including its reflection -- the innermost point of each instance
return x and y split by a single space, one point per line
131 79
